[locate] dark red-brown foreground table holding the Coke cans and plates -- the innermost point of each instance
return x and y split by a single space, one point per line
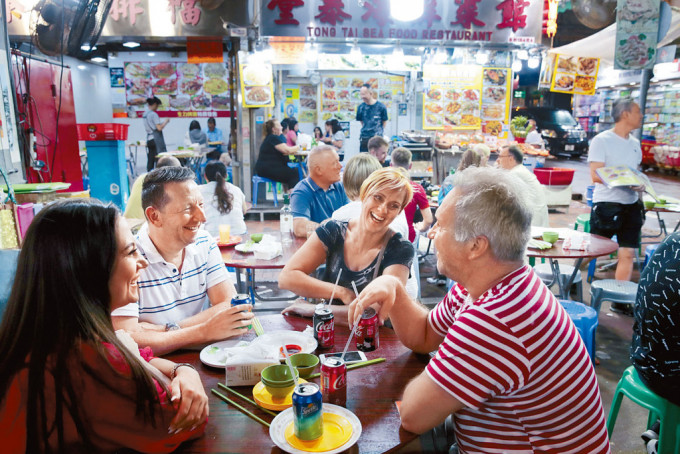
371 395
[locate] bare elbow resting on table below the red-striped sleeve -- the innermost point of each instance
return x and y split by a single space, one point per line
425 404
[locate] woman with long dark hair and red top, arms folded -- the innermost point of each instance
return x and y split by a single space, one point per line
68 382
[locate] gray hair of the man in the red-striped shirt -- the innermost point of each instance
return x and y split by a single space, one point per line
492 203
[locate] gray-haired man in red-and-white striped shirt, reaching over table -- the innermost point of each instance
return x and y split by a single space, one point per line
510 364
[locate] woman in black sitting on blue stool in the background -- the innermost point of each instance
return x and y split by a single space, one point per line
273 160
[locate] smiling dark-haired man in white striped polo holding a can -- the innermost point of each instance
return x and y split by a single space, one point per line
185 273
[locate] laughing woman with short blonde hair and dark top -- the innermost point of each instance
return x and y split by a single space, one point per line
363 247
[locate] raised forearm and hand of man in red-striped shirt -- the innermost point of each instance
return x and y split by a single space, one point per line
408 317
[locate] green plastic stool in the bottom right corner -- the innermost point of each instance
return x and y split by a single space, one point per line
632 387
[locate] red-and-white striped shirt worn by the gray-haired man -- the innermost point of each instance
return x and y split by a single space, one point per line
517 363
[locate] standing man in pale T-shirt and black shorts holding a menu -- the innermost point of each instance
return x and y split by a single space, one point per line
618 211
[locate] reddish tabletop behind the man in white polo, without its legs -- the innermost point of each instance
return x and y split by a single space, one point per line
235 259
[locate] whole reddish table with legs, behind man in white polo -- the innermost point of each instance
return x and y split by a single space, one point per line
249 264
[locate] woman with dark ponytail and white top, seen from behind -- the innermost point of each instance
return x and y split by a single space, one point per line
223 203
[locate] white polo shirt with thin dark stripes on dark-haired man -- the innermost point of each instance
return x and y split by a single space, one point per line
165 294
